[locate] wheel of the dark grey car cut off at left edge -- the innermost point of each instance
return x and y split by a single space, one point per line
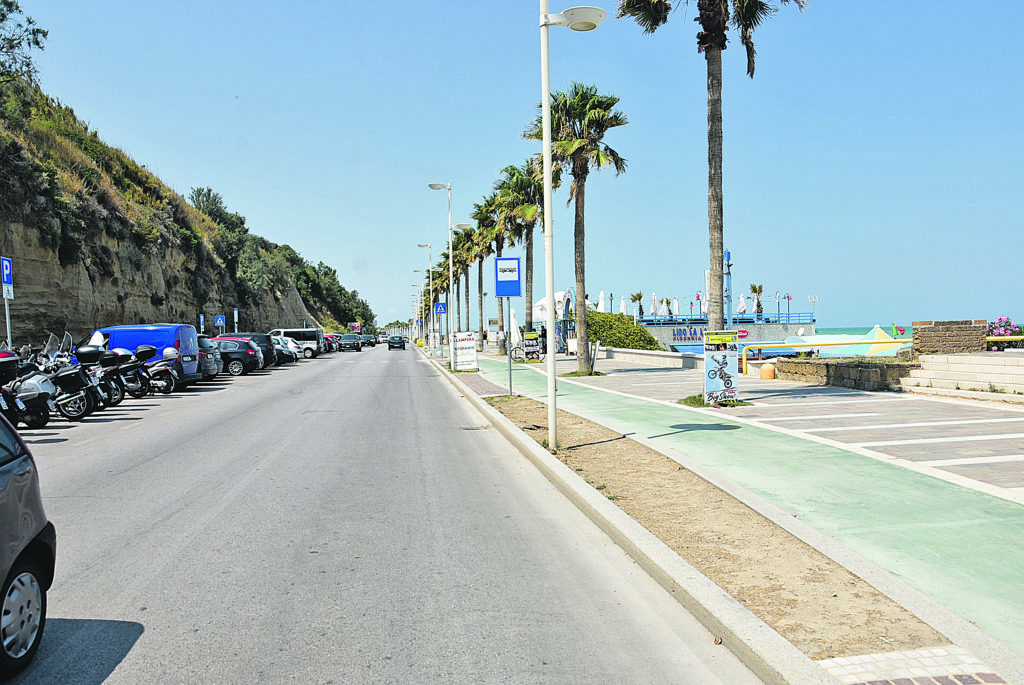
24 618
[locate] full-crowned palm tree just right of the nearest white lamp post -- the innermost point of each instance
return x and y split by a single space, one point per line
580 120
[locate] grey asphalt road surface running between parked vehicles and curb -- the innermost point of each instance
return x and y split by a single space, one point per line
347 520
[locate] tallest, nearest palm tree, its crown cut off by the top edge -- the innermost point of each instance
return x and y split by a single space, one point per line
715 18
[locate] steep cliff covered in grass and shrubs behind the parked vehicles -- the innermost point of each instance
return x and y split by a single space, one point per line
97 240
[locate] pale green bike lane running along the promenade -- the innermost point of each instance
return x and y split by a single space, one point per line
960 547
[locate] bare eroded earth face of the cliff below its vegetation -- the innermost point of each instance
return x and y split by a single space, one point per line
114 283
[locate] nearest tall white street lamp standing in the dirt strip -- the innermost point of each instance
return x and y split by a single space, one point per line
577 19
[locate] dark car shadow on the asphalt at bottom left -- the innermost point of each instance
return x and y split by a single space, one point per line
81 652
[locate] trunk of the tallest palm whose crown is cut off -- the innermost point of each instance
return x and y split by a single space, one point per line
716 318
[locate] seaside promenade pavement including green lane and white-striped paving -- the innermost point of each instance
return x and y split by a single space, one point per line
948 526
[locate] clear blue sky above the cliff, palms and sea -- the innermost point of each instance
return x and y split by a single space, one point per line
875 161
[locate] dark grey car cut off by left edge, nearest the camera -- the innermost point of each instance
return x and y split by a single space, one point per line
28 553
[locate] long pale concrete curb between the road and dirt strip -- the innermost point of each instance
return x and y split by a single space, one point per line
763 651
